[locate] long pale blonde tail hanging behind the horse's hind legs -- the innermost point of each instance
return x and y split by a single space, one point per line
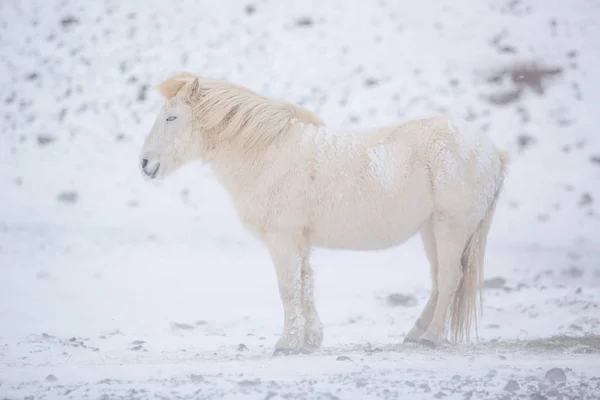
469 295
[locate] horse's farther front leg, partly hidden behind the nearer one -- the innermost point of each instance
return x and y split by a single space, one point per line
314 327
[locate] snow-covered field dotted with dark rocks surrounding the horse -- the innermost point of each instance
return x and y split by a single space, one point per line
112 287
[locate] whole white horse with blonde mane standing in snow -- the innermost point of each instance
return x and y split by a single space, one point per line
298 186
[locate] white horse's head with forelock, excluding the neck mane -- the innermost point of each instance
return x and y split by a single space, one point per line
173 140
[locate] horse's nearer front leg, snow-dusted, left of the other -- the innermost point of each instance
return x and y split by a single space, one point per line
286 253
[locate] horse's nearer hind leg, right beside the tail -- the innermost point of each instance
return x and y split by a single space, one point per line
450 237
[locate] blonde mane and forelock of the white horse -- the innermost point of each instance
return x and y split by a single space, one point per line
231 113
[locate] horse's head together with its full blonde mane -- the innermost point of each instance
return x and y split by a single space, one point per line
203 118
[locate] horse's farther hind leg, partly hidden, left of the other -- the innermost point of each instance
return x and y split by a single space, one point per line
422 323
